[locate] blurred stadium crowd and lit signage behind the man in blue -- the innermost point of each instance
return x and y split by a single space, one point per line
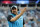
31 16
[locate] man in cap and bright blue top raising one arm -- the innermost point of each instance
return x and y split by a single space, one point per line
14 19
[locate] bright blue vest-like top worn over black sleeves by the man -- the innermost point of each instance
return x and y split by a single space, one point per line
17 23
